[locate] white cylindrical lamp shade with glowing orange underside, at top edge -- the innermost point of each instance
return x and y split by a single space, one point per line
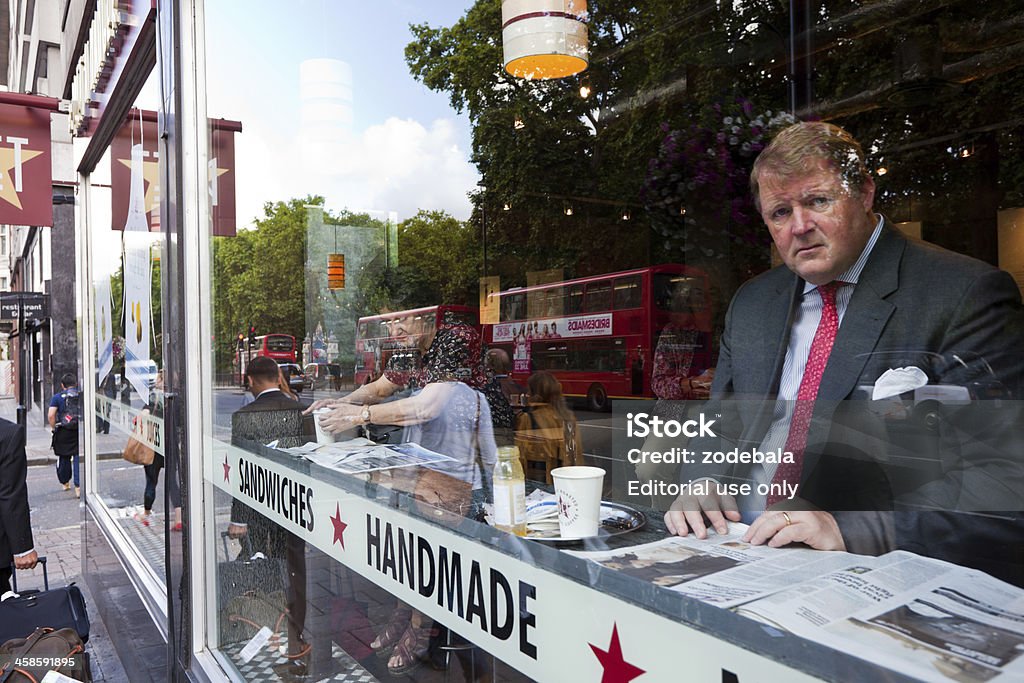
544 39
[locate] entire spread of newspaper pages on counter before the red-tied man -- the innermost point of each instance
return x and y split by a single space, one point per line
927 619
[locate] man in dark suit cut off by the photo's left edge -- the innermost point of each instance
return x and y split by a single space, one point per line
16 526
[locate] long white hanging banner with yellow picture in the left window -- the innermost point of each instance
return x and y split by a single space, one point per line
139 283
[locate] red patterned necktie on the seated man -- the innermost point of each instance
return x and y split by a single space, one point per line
825 337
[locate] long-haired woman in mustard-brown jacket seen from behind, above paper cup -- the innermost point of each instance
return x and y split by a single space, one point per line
547 430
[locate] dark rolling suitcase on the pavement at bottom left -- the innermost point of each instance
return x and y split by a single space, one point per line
60 609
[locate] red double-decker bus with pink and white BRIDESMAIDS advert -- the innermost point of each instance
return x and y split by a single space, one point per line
598 335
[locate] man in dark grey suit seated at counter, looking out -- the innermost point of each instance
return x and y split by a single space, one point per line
897 300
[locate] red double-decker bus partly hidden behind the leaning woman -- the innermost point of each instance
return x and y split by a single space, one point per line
379 337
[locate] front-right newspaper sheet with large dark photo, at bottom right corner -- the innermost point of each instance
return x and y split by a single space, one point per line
925 618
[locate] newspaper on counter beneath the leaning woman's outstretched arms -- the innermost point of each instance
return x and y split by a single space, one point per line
360 455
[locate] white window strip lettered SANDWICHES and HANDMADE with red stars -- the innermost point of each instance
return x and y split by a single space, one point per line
544 625
